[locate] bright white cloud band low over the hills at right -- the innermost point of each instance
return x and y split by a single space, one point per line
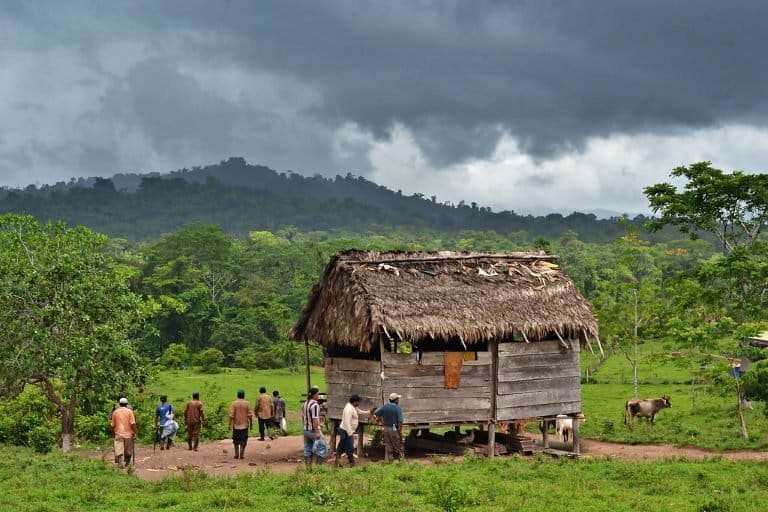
610 173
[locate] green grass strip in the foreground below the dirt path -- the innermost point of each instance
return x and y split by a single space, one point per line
74 483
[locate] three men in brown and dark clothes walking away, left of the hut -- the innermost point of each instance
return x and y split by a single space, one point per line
269 411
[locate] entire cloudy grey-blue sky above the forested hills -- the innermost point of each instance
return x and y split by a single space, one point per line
511 104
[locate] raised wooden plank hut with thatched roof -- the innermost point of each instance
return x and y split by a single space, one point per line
465 338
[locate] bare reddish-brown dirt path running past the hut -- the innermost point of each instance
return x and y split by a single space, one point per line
284 454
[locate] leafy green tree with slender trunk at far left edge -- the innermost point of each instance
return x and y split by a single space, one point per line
67 314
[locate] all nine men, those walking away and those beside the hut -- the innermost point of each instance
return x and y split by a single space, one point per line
270 413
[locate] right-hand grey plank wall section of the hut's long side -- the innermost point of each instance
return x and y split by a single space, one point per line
537 379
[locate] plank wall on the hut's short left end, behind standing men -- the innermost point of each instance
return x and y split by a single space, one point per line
345 377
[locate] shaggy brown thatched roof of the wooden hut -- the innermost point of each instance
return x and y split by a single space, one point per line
367 296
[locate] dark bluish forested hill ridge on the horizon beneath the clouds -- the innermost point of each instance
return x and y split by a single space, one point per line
241 198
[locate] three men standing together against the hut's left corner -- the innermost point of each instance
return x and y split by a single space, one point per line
315 447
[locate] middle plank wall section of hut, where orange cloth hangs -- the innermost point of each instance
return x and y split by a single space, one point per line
425 400
